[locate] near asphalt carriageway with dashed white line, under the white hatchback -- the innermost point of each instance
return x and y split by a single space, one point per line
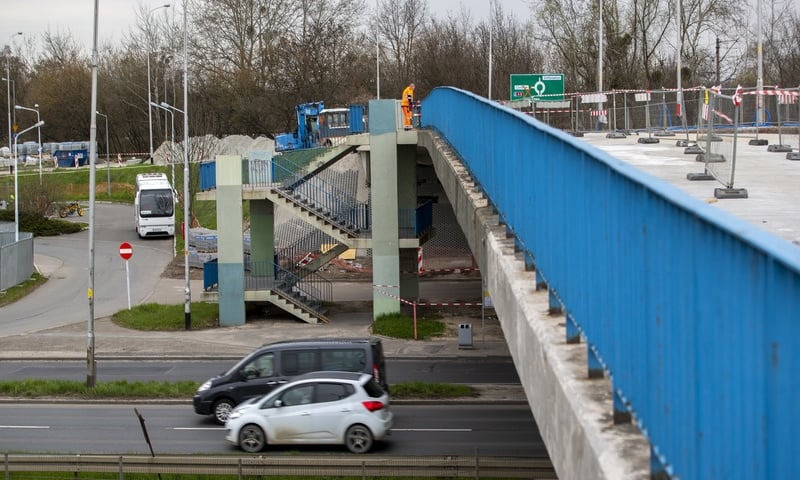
497 430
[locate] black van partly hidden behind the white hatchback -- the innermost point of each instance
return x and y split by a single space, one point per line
277 363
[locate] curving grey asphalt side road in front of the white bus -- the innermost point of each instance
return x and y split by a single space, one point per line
63 299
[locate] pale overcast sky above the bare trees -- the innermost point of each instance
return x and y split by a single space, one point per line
116 17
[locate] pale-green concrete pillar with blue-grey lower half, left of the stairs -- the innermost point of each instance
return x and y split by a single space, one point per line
230 246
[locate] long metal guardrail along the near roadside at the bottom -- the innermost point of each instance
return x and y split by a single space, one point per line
445 466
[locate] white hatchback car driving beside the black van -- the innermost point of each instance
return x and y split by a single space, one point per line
328 408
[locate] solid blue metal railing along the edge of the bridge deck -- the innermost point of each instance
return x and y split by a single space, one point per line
694 312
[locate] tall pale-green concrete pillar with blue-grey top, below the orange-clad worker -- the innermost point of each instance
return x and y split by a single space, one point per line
385 205
